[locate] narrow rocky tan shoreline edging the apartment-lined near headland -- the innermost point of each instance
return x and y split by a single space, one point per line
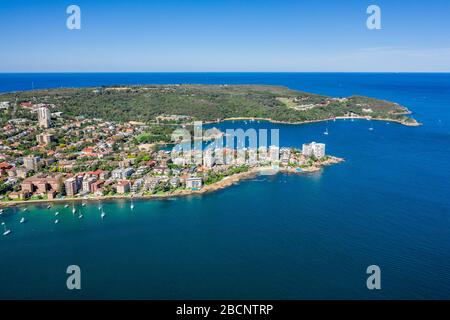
219 185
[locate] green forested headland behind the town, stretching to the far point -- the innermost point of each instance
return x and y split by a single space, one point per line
206 103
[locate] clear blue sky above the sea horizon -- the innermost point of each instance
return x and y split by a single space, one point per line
219 35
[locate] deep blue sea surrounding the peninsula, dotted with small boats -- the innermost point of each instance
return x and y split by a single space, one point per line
271 237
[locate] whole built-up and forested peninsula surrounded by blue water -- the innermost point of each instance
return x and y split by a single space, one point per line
100 143
